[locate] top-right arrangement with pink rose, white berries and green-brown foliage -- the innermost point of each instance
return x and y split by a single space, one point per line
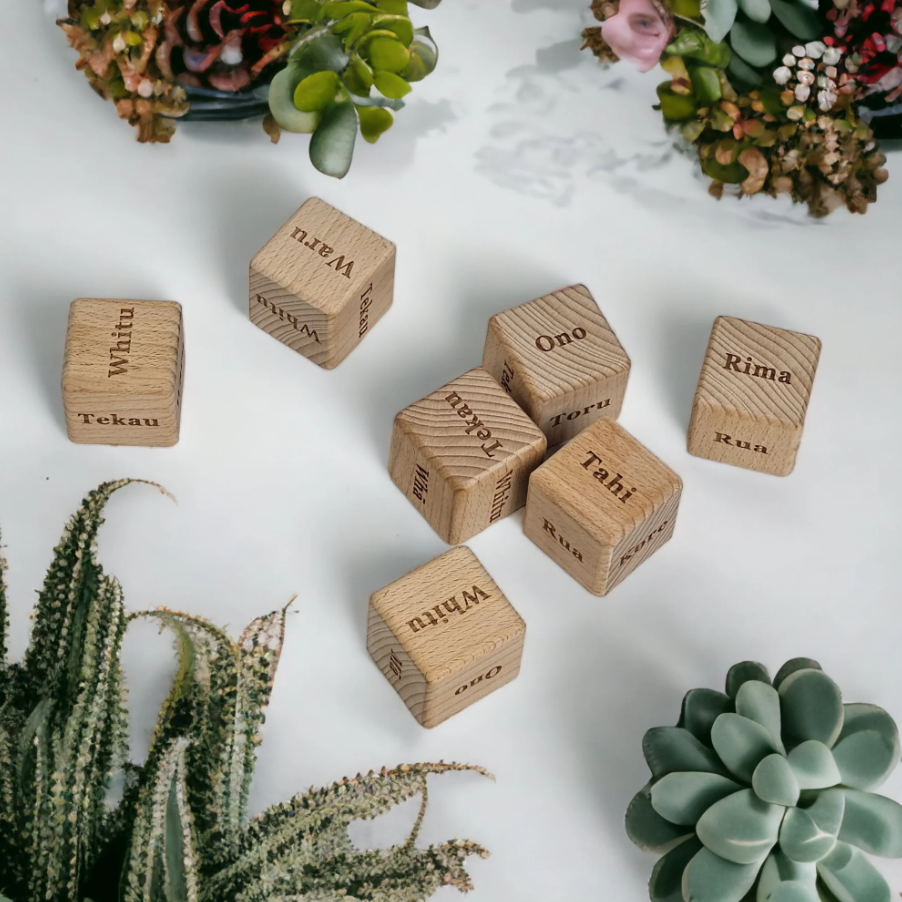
777 96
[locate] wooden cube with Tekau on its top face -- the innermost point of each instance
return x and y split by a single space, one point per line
463 455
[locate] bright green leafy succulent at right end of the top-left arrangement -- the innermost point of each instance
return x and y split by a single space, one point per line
353 62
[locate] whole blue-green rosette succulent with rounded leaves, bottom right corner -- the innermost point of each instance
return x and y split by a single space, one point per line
763 793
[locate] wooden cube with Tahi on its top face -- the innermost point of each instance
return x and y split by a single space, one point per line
601 506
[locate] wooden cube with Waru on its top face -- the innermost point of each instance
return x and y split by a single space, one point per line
321 283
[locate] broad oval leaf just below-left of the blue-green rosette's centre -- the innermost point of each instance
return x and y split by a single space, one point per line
740 828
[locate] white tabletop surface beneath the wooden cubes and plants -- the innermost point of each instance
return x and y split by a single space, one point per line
520 166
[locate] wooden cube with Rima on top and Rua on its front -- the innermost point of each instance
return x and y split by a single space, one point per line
752 395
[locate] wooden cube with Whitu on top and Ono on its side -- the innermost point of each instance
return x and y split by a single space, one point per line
445 636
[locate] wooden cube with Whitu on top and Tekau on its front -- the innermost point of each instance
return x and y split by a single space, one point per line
123 371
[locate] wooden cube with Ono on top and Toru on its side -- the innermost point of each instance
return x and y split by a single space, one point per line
558 358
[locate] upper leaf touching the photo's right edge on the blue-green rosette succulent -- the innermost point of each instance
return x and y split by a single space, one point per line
868 747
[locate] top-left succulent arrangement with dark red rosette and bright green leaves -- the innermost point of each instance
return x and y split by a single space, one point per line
328 68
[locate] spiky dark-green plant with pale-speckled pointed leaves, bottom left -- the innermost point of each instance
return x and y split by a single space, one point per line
180 832
